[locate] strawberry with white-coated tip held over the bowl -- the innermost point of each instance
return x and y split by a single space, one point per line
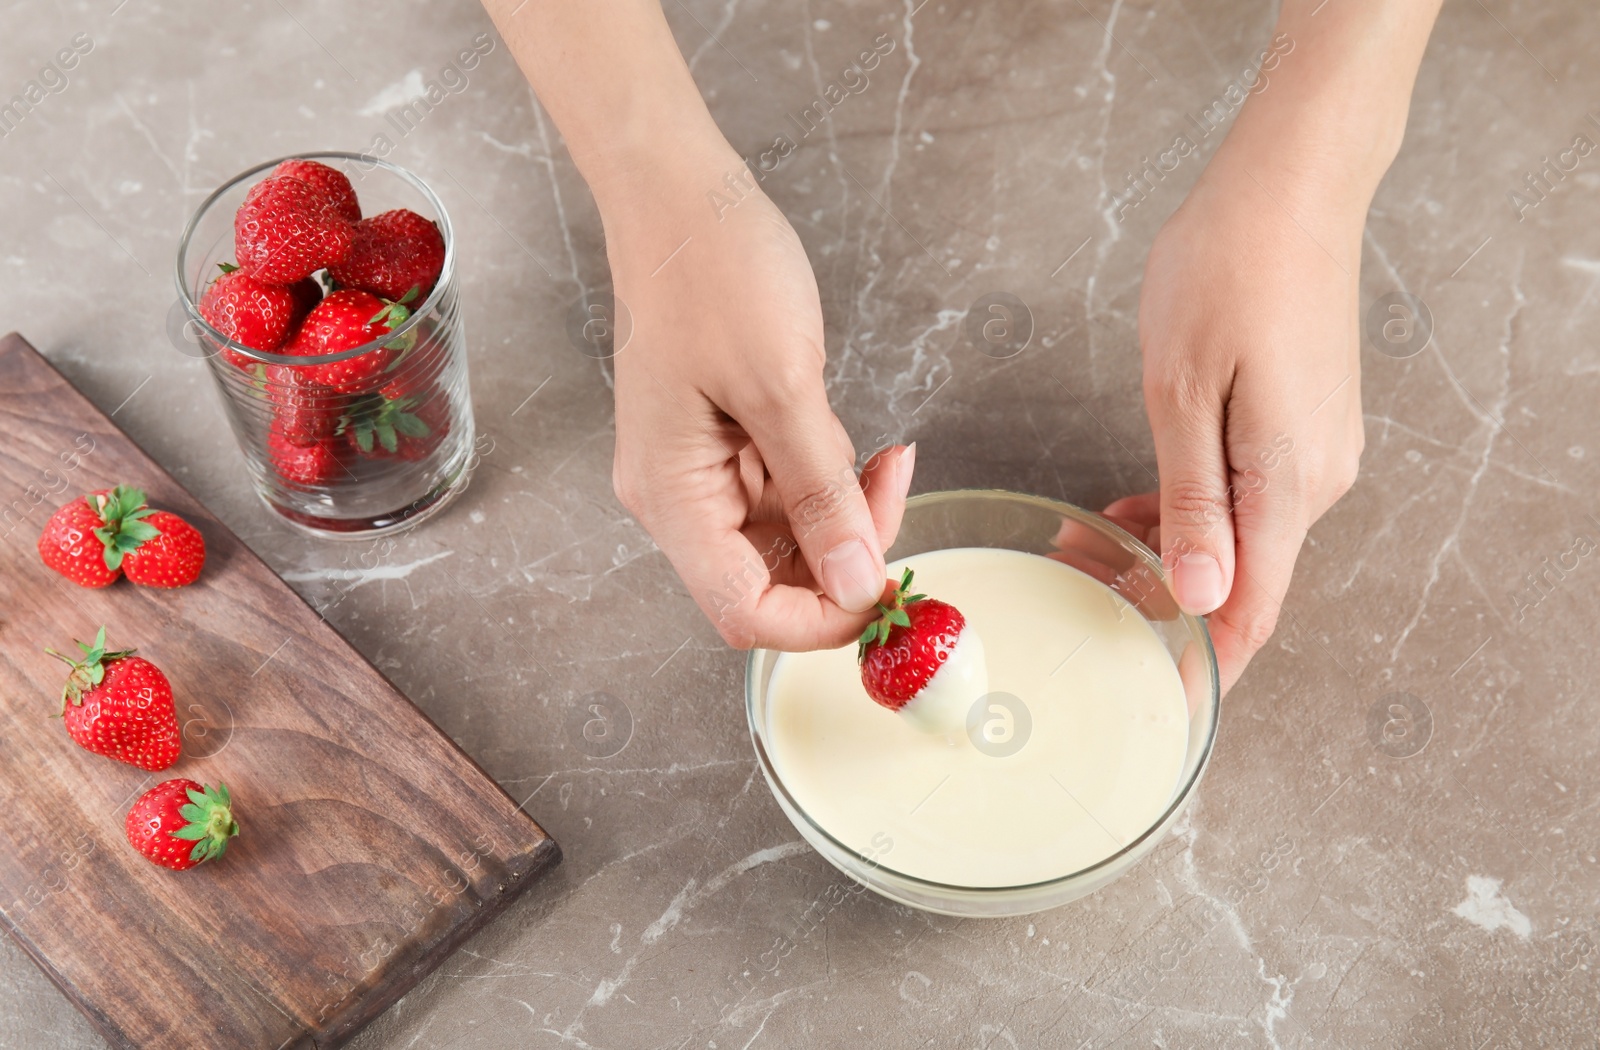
919 657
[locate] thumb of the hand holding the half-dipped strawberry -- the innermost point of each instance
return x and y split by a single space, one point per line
812 463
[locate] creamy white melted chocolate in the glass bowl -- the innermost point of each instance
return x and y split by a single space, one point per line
1103 731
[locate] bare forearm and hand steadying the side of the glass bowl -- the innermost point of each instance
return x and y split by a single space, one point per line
1249 319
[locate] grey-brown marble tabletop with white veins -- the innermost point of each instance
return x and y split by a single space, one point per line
1329 888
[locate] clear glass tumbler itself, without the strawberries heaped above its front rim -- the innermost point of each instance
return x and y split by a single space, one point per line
342 465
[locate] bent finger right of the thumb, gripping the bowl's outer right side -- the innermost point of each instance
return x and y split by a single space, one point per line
1271 529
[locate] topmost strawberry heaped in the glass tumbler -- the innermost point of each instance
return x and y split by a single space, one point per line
286 231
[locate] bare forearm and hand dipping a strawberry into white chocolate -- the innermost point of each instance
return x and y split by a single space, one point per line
726 446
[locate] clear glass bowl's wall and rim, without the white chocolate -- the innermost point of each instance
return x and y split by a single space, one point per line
1090 543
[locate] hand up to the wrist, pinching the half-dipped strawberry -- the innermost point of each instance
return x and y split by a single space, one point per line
726 446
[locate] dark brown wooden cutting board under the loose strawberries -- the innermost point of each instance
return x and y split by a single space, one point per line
372 846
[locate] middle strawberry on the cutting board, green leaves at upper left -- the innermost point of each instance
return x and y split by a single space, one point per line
121 707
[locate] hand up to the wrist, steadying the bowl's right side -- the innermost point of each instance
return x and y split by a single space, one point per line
1252 382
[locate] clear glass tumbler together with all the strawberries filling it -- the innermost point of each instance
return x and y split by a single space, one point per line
322 294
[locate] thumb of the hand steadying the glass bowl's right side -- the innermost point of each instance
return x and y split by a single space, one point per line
1198 521
